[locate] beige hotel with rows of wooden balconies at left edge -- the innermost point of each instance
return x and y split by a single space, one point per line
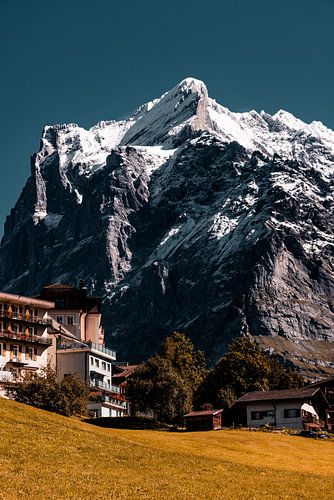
24 341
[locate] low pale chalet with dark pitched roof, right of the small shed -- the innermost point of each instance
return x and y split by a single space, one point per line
303 408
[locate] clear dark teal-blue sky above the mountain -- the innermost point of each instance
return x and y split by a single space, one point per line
86 60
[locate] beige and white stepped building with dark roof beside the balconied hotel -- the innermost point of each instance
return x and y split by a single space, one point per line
80 314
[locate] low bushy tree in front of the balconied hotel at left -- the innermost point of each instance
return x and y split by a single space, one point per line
42 390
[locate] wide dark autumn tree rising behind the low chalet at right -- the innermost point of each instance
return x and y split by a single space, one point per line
243 368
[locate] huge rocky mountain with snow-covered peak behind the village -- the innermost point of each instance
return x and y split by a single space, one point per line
186 217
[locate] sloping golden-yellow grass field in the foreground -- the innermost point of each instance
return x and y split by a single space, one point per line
46 456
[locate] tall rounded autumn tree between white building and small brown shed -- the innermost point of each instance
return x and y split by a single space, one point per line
164 385
